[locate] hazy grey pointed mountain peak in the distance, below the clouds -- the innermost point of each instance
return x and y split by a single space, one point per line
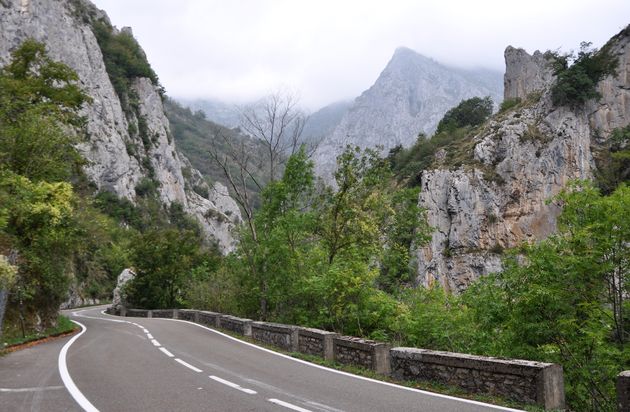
409 97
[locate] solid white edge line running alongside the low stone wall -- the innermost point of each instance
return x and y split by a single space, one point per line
282 355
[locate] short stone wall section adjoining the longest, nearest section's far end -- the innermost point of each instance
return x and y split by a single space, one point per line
362 352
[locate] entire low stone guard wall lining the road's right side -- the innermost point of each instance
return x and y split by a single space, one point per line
525 381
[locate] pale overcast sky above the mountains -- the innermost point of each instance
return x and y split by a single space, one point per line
328 50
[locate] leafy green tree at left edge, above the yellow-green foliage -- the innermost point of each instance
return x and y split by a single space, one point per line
39 99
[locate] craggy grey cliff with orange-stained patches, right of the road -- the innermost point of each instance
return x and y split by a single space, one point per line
521 159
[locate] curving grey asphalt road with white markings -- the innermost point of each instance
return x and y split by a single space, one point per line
137 364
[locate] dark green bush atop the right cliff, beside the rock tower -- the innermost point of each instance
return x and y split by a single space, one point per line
577 76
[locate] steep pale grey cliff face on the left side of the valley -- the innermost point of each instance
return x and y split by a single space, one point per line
118 158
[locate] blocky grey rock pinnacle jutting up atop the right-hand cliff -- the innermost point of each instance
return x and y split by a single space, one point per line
525 74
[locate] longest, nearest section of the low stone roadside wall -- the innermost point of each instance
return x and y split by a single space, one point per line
524 381
